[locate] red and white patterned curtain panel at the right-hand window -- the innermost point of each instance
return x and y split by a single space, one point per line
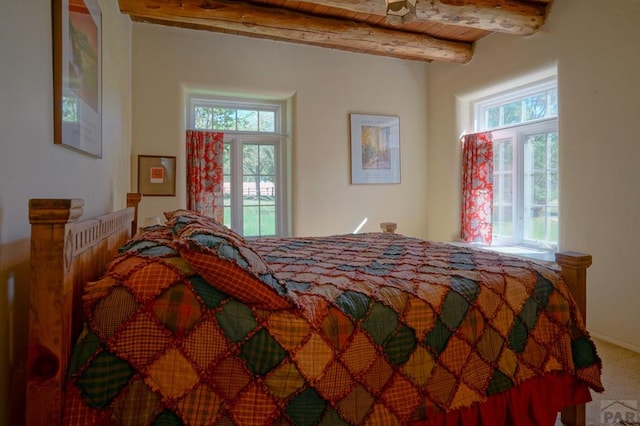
477 187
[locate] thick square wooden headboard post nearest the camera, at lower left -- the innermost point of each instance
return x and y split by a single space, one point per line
49 313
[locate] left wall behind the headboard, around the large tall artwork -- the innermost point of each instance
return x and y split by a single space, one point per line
31 166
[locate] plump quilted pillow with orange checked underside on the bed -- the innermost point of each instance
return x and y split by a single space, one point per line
227 261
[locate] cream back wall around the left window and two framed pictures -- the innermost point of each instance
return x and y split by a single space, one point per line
324 85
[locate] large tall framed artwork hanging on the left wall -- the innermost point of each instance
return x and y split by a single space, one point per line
77 75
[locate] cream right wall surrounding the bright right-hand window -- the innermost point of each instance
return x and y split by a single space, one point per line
595 47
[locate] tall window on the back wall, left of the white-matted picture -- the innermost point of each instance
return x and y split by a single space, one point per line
254 159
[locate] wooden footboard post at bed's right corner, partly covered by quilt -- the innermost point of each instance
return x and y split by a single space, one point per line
574 271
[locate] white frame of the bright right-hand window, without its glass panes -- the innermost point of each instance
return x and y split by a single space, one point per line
519 133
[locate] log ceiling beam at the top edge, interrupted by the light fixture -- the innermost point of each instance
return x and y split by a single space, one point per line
504 16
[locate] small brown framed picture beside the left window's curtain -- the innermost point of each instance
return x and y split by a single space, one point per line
156 175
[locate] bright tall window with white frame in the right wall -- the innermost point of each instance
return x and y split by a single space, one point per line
524 123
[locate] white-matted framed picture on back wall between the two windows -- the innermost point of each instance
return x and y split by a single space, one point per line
375 149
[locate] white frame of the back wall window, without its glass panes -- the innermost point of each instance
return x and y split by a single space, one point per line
237 139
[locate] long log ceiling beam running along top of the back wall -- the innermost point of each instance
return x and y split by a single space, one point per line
239 17
